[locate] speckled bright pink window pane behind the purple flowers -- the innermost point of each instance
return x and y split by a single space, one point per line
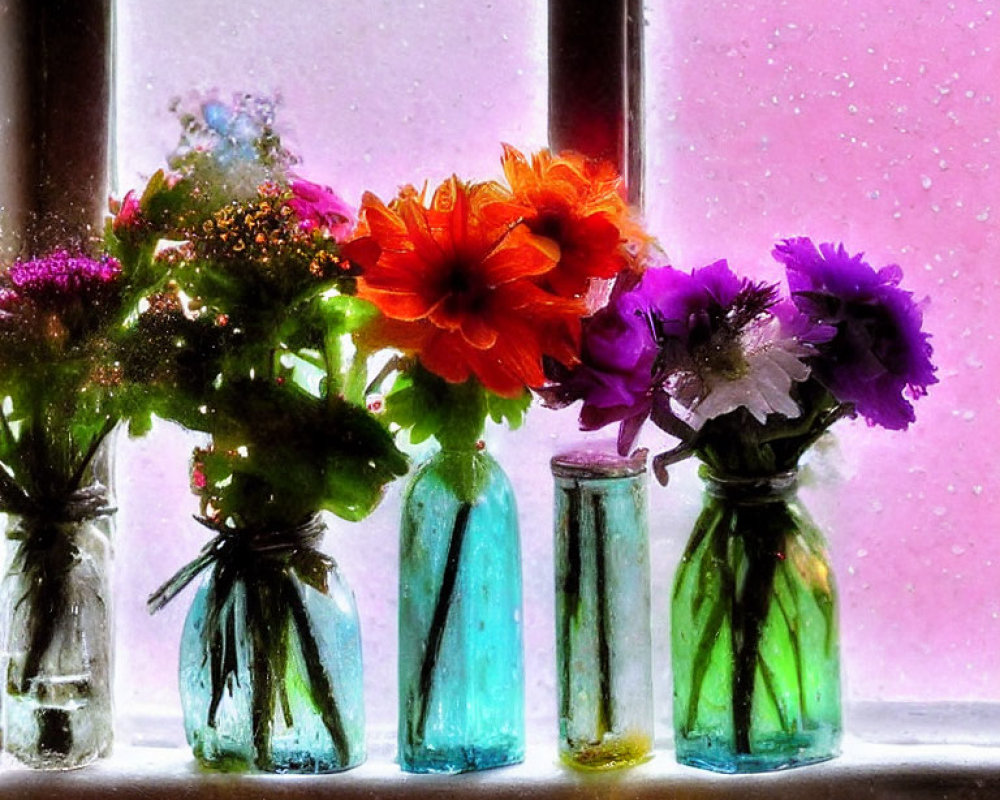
876 124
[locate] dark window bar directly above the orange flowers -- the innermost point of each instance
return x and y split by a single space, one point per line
595 82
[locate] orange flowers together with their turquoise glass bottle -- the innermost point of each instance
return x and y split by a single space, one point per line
477 285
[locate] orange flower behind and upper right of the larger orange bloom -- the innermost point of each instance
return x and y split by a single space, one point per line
574 201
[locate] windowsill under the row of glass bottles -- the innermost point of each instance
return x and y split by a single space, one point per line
864 770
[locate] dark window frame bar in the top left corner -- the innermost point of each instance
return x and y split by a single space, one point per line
58 65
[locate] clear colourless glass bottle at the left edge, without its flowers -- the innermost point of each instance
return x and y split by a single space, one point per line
57 646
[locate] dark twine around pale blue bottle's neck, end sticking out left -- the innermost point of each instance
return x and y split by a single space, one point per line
236 543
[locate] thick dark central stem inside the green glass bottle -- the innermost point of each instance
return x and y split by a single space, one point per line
751 602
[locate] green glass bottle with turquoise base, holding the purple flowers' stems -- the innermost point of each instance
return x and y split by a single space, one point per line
755 646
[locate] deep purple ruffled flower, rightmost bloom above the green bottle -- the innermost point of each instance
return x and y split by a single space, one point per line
879 353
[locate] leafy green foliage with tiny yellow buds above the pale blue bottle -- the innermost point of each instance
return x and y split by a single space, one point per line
245 338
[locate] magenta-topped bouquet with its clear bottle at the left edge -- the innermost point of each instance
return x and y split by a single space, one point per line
63 334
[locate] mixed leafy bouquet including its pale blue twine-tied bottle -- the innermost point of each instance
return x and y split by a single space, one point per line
247 343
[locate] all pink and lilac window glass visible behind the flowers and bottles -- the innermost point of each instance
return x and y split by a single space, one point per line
863 122
